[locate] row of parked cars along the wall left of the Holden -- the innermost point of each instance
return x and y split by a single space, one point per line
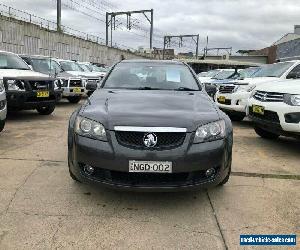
39 82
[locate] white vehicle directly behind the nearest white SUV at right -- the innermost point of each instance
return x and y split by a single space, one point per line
233 98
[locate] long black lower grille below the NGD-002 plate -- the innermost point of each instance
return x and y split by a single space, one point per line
148 179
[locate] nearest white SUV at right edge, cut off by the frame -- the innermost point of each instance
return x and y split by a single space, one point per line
275 109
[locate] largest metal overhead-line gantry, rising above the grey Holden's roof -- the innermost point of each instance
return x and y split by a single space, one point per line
111 22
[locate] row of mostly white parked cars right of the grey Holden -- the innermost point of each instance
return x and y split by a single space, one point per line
269 95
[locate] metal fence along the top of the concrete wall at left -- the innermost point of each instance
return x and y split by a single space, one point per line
50 25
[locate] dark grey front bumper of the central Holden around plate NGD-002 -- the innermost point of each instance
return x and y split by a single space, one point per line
111 162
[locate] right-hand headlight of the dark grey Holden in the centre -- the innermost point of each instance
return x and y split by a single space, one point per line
210 132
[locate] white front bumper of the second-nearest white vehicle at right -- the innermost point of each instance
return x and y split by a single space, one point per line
236 102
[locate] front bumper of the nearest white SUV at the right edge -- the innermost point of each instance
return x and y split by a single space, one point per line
280 122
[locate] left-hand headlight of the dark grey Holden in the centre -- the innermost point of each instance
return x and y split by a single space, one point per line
90 128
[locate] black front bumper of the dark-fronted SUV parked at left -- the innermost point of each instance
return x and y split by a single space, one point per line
27 100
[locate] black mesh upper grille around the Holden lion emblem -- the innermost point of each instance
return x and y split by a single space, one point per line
165 140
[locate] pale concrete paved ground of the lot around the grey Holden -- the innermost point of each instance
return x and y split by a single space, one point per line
42 208
